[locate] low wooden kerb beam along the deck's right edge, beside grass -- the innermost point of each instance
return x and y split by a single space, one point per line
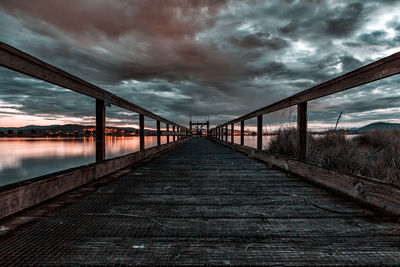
375 193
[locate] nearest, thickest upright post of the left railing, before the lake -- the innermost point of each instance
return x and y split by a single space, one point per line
100 130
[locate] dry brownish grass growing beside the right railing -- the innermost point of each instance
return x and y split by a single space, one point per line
375 154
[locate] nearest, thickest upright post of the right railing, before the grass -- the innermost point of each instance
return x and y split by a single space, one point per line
302 131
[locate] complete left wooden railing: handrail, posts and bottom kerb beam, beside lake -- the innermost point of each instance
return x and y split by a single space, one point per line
21 195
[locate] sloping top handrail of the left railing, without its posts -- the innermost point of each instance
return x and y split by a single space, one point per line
17 60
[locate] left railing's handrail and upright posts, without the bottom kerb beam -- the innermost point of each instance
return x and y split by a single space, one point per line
19 61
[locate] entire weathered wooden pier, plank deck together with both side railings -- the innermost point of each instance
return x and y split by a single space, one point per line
200 201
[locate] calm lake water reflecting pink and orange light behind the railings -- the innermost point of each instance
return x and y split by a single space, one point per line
25 158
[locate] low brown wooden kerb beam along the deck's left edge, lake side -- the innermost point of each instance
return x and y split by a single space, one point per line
23 195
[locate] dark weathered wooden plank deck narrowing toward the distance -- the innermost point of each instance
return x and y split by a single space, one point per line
203 203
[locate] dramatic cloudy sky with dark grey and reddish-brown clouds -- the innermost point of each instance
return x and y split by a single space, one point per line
218 58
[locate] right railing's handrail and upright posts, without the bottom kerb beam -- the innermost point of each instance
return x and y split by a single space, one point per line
377 70
